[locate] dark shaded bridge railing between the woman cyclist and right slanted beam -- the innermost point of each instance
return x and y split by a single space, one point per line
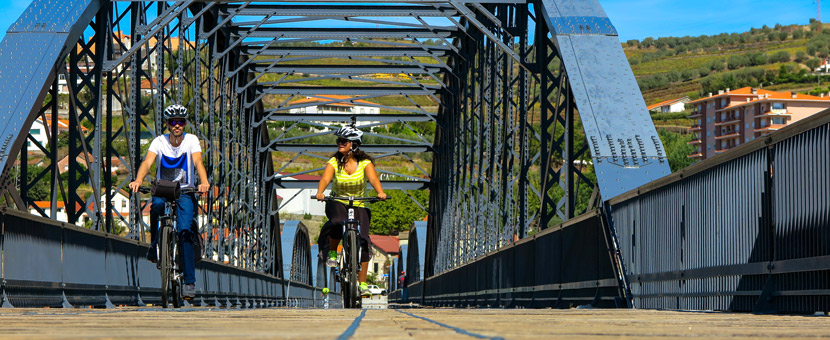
561 267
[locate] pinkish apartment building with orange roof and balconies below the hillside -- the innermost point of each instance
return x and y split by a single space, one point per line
735 117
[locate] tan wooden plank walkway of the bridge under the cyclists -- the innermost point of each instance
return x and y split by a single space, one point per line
415 323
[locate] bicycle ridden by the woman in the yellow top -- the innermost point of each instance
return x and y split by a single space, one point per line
348 268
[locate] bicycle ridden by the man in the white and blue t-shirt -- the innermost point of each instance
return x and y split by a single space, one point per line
167 251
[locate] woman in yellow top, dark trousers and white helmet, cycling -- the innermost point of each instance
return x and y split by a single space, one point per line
350 167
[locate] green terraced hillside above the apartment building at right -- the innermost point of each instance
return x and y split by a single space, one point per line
777 58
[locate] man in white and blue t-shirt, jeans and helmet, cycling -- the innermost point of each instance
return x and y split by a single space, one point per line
178 154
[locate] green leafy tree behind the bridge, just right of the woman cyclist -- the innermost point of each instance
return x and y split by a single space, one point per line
397 212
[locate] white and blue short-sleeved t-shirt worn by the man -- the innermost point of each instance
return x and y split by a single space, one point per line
176 163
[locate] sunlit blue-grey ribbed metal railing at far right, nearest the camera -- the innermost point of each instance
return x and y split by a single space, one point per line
744 231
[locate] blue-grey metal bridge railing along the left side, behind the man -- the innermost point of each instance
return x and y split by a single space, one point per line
48 263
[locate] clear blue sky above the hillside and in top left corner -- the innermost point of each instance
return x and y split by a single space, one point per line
638 19
